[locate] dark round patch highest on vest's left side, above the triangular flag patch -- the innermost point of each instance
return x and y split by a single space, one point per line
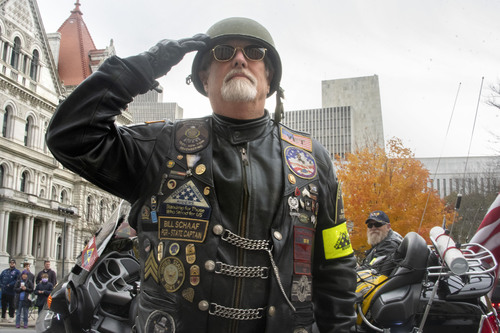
191 136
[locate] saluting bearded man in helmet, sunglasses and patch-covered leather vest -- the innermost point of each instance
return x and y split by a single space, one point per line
239 218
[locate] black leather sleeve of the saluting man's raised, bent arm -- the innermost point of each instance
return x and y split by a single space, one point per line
83 136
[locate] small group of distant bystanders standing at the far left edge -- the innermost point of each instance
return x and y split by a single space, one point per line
20 291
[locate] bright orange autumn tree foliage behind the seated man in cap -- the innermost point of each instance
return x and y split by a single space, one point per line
392 181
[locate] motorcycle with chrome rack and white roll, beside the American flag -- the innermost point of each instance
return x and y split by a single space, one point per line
441 287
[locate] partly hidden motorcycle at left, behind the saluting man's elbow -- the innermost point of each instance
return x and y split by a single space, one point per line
99 293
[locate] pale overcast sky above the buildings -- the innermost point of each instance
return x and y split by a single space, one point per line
425 53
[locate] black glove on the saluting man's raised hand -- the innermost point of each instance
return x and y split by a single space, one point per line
168 53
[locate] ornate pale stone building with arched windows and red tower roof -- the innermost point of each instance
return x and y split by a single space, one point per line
36 71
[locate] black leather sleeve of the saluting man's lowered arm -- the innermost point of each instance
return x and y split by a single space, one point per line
334 279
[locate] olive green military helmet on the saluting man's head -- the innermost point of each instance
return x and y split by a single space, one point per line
239 28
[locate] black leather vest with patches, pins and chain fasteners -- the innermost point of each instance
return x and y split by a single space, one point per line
204 271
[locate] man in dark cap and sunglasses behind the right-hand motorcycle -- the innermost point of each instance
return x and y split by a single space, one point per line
384 242
